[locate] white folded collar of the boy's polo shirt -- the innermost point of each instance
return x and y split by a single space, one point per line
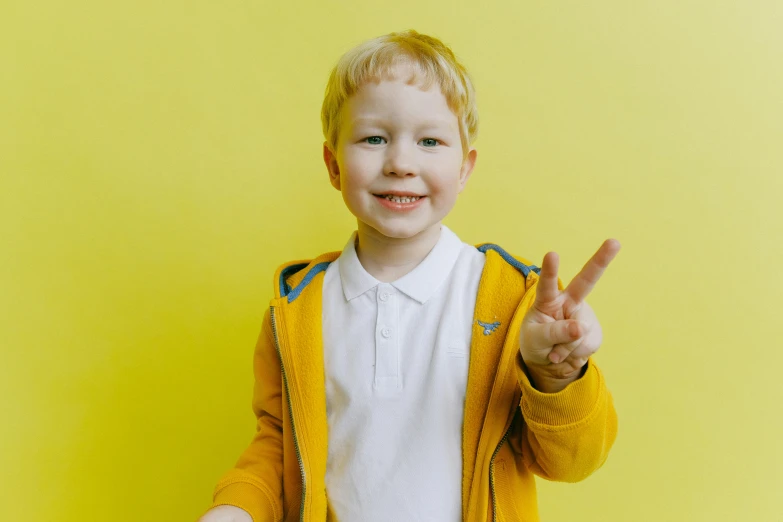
418 284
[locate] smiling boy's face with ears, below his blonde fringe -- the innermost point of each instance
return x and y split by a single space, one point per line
397 138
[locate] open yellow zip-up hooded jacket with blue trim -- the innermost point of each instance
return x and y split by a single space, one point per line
511 431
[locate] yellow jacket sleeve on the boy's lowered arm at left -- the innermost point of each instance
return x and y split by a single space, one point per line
255 484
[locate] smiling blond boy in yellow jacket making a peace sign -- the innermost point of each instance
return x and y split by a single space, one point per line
414 377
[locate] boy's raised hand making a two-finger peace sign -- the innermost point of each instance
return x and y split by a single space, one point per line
560 331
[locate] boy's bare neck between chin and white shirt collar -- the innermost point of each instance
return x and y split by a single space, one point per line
388 259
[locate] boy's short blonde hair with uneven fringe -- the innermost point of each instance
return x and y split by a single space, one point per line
375 60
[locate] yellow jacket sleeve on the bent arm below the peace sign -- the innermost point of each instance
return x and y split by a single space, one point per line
567 435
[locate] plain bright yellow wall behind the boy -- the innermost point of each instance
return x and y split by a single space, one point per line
160 159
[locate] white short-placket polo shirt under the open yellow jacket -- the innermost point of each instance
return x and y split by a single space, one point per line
396 361
